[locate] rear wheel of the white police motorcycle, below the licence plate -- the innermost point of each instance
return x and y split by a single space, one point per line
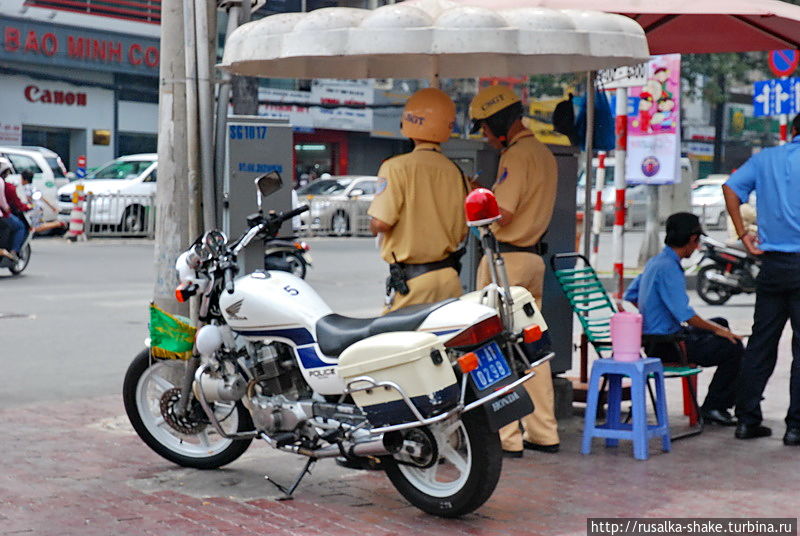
465 469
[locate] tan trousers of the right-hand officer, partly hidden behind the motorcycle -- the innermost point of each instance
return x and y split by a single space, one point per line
540 427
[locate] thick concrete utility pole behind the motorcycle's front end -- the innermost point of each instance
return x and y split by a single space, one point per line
172 230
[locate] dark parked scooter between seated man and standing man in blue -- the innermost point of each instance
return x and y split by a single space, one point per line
724 271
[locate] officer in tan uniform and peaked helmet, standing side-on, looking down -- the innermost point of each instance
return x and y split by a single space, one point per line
526 193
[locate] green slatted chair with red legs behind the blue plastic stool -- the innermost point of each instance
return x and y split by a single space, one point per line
590 302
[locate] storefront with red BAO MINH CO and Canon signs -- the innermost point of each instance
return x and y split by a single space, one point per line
77 91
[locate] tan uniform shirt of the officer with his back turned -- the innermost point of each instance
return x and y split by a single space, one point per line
423 200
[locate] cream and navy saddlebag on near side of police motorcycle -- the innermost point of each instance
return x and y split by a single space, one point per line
415 361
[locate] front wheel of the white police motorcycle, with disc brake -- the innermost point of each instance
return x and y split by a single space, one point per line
151 391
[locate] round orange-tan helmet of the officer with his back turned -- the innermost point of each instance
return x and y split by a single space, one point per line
429 115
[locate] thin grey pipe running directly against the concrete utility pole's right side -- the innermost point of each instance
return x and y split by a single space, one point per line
192 121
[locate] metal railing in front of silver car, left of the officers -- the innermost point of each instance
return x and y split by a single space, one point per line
335 218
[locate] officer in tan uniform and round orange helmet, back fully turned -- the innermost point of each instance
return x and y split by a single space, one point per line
419 209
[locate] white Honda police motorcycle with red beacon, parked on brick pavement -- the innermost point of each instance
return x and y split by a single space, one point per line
424 389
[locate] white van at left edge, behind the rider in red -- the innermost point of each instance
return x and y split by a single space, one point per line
49 173
